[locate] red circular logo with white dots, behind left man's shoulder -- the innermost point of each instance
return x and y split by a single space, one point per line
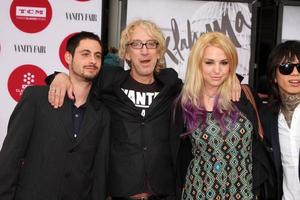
22 77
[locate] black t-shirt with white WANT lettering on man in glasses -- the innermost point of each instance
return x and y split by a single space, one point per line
142 95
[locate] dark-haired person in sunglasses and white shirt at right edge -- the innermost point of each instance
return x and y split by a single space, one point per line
281 123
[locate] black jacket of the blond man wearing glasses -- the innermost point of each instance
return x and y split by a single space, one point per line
140 146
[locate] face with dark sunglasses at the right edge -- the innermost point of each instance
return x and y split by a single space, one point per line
288 83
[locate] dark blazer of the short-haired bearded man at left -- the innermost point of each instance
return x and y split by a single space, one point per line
41 160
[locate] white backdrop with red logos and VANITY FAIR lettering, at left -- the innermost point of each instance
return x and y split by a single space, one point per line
31 33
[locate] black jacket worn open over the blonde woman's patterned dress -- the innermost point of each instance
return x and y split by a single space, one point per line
263 173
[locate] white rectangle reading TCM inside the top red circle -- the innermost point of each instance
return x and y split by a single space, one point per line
34 12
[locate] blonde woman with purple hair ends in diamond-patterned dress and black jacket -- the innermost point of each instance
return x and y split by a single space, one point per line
228 158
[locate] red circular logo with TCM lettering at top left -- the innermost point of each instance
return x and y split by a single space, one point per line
31 16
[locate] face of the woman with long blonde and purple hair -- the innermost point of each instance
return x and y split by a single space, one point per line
215 68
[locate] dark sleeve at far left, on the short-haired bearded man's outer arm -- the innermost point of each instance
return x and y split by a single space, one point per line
14 147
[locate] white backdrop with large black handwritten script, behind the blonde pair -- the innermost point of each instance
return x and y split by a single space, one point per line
183 21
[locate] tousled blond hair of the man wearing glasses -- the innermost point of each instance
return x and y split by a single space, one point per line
152 30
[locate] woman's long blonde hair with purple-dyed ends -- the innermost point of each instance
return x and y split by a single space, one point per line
191 96
